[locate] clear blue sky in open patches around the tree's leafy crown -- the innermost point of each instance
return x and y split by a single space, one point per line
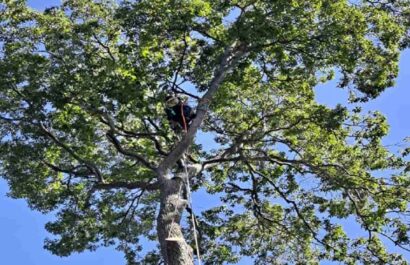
22 230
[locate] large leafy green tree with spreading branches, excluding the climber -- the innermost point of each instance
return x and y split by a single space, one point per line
84 134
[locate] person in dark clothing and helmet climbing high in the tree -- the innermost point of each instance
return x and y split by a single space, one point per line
179 113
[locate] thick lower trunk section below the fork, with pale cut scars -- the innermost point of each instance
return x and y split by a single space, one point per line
174 249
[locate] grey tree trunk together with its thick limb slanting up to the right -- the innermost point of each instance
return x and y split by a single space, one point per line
174 249
